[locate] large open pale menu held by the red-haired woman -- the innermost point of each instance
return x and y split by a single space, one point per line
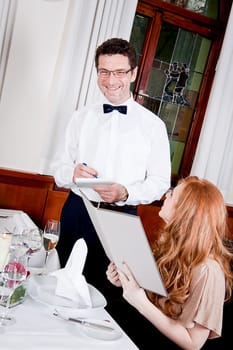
124 240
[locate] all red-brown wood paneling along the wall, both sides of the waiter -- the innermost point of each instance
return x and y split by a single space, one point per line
39 197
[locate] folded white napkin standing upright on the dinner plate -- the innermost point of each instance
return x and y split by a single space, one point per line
71 283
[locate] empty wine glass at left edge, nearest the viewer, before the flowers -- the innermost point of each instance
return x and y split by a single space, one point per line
13 274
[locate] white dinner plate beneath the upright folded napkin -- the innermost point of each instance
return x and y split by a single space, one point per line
42 289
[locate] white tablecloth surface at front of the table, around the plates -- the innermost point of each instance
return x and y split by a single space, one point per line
37 328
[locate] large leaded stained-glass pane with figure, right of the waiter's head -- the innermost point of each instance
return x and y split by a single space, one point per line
174 83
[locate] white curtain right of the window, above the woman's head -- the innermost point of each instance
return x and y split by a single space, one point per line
214 155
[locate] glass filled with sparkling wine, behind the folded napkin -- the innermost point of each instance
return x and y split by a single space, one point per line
50 236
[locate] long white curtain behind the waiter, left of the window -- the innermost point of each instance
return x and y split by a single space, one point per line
74 83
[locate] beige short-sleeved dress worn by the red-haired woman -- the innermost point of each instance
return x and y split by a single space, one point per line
205 304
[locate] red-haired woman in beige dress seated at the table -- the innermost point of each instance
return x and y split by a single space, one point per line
194 264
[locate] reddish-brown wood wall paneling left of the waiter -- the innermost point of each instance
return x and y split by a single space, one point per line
33 193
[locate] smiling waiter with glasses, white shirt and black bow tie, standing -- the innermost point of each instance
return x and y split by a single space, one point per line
129 146
